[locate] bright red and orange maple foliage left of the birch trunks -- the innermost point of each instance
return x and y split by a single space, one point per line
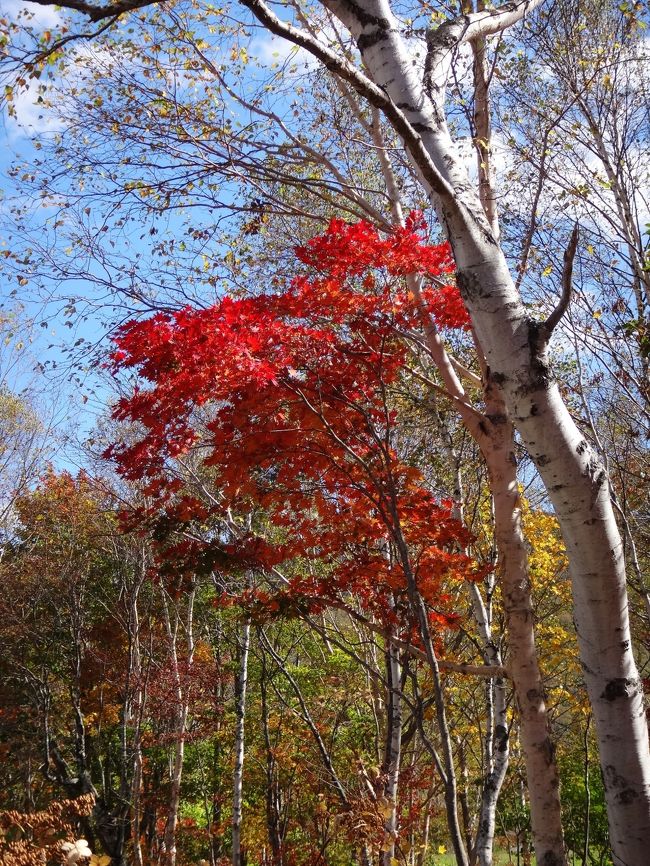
286 397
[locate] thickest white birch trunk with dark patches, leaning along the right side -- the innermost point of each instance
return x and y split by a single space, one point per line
515 350
